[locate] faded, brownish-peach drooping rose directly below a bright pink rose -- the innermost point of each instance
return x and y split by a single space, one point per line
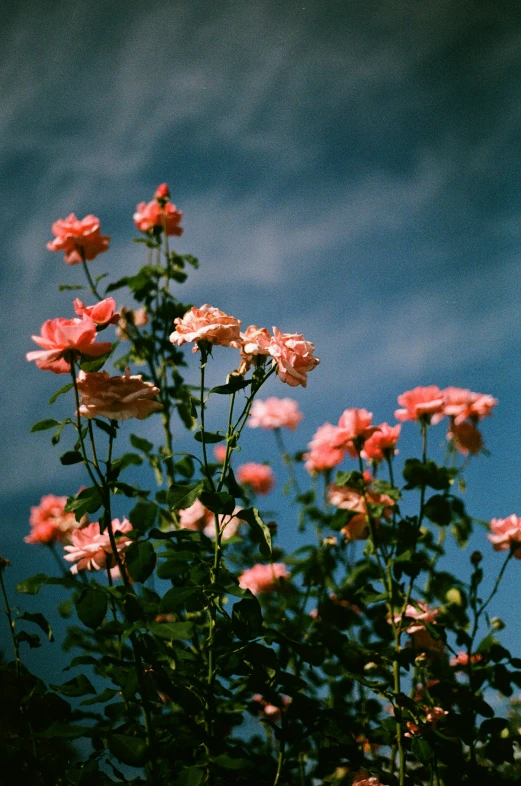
116 398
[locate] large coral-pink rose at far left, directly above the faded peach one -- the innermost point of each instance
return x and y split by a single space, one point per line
66 339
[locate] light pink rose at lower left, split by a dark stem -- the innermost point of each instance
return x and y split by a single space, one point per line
90 549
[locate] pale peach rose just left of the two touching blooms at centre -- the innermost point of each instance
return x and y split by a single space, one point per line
206 324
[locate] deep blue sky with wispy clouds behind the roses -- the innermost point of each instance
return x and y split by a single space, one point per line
346 169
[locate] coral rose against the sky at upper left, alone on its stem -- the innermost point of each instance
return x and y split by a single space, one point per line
79 239
